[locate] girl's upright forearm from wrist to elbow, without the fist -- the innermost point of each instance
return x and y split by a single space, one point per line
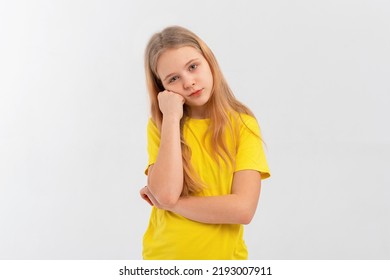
165 181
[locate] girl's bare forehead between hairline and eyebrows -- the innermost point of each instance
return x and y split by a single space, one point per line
173 60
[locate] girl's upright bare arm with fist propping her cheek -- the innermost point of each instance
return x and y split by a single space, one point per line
165 176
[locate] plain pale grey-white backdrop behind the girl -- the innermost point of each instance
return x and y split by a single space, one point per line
74 108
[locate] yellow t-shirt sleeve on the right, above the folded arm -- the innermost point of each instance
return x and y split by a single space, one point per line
250 152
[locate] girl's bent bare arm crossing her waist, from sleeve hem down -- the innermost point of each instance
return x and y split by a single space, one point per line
238 207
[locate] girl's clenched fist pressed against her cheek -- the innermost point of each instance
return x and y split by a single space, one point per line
171 103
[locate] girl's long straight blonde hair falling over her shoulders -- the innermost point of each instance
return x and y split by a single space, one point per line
221 104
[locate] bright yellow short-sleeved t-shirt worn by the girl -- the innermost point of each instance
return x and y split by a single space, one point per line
172 236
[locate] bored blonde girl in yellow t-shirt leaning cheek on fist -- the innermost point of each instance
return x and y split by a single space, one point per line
206 159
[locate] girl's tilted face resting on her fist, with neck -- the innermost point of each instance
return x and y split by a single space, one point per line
185 71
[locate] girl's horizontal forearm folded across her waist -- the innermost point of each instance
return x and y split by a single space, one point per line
226 209
